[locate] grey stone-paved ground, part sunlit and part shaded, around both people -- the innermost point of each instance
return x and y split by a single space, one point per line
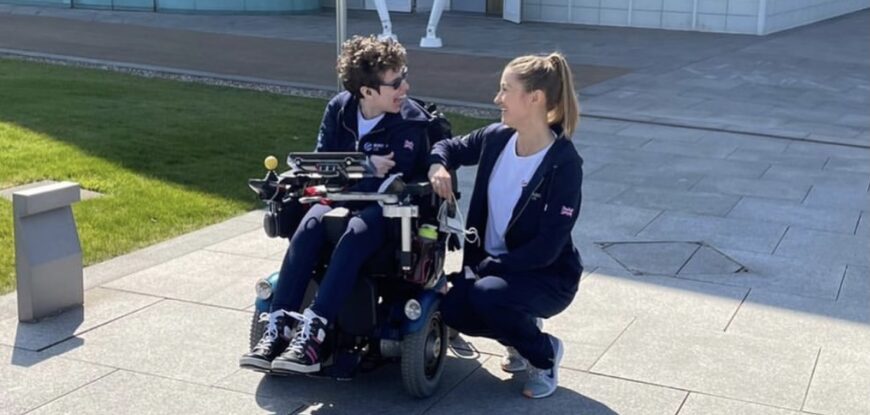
162 327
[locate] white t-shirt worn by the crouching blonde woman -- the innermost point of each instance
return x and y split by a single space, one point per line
509 176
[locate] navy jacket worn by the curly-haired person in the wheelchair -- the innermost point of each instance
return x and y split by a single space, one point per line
403 134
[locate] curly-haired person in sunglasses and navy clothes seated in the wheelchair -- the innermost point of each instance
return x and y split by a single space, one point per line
373 116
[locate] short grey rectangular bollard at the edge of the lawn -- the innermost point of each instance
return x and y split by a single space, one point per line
48 255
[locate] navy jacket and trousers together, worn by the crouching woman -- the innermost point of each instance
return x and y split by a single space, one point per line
539 275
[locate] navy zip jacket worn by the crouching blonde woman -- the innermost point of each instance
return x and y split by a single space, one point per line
538 236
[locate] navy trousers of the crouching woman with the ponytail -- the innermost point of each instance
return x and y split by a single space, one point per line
504 308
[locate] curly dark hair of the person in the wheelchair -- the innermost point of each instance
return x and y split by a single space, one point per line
364 59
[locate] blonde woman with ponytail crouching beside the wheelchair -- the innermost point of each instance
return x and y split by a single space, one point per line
526 198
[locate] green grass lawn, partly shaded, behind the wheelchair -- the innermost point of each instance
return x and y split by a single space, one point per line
170 157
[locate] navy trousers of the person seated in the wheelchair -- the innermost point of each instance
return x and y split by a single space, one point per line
363 236
